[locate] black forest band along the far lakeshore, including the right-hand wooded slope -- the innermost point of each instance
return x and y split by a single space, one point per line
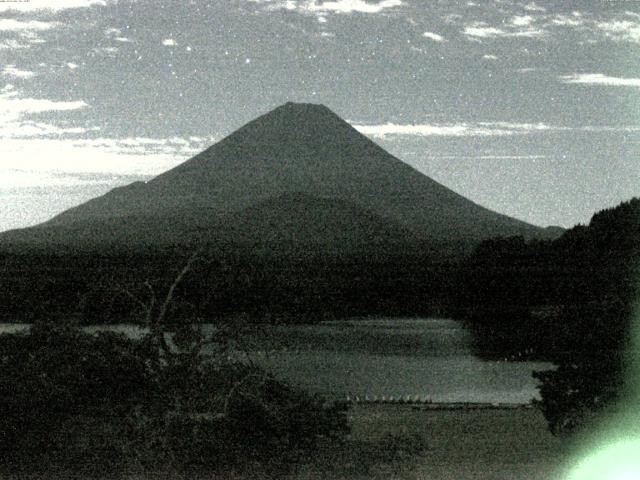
567 301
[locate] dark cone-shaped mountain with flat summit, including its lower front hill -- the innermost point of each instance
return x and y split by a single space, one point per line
296 174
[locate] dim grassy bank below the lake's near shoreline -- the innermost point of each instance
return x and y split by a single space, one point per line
395 441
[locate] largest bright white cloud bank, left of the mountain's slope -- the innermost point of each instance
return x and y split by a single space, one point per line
22 141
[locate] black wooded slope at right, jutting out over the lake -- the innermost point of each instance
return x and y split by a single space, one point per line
569 301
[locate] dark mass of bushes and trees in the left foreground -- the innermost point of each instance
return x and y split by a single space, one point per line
103 402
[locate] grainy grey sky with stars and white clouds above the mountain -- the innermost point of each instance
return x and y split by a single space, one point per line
529 108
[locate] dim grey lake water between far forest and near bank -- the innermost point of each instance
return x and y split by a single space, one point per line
430 358
